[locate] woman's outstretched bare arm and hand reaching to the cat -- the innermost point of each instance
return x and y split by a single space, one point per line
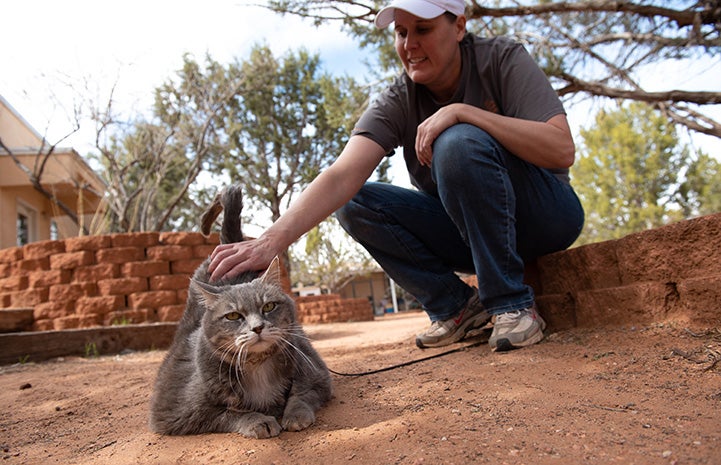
325 194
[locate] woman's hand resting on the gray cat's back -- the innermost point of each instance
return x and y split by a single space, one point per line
229 260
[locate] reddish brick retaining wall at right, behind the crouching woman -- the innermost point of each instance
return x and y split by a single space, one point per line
669 274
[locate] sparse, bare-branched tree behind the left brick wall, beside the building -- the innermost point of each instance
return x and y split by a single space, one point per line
149 166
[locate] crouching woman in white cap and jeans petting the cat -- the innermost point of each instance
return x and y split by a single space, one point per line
487 144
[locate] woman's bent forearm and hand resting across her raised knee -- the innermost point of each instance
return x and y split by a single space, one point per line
546 144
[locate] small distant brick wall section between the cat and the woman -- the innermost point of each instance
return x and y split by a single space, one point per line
331 308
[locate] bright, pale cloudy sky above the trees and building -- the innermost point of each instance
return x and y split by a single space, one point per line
48 45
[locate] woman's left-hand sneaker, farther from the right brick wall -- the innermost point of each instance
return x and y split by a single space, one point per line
442 333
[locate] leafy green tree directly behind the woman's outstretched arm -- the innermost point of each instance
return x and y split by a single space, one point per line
292 122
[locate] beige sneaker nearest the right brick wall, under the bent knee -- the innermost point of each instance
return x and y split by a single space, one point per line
516 329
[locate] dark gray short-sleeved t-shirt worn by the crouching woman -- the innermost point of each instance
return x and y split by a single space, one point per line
497 75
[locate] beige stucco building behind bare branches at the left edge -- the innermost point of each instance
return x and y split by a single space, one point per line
28 214
